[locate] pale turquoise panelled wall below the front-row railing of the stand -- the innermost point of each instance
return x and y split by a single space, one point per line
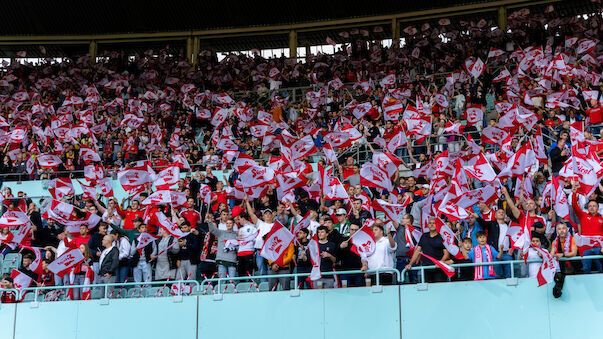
464 310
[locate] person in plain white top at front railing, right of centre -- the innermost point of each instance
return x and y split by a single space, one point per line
383 257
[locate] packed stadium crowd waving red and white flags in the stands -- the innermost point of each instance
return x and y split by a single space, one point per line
483 145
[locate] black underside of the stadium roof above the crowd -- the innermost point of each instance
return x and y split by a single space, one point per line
68 17
